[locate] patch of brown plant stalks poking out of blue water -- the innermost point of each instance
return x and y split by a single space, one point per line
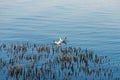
49 62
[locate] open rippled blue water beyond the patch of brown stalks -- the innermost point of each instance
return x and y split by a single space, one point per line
92 24
